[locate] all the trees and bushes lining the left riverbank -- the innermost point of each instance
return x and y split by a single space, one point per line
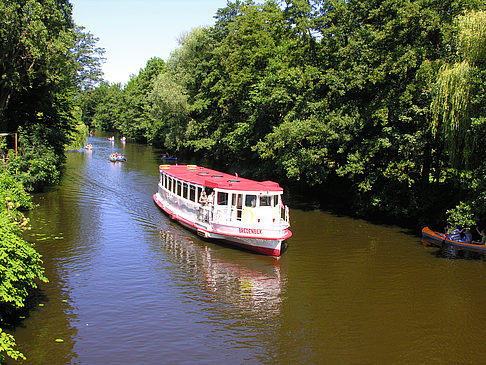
46 61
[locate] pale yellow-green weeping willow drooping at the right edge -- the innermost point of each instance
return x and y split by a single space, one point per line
456 110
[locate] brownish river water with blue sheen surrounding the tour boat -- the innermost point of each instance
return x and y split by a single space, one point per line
130 286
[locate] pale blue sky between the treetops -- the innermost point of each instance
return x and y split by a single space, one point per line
134 31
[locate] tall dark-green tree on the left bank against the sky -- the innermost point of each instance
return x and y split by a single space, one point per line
45 61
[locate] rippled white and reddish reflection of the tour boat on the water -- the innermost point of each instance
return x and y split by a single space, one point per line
250 285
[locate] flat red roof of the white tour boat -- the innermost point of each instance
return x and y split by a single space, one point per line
215 179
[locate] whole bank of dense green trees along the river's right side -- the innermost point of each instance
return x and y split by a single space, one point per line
379 104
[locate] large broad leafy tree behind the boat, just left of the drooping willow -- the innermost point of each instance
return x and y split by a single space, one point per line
367 116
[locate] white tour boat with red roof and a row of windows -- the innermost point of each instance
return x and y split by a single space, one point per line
240 211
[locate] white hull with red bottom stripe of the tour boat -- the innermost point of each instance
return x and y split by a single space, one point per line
271 246
